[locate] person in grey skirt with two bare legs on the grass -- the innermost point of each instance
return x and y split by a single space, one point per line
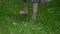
35 7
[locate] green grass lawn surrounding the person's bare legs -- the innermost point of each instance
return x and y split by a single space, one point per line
12 22
